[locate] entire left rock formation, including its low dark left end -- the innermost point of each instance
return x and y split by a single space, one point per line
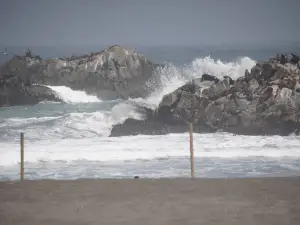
112 73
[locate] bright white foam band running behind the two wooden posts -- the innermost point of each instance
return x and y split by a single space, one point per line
221 145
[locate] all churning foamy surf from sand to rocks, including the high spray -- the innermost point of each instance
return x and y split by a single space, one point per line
70 140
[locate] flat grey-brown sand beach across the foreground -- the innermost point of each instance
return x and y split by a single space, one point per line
145 201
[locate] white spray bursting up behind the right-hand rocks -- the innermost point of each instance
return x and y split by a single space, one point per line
170 77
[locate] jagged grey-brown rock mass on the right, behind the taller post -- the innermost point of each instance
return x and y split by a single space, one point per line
266 101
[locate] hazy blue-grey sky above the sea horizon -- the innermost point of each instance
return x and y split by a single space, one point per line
147 22
